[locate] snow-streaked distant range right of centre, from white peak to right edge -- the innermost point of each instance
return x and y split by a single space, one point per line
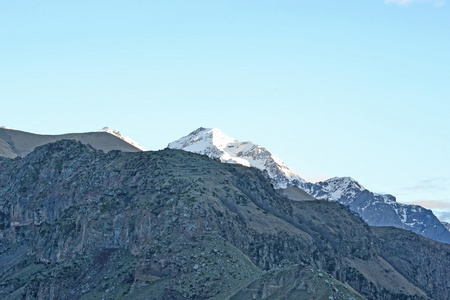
375 209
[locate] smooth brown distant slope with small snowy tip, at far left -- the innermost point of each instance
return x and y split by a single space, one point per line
15 143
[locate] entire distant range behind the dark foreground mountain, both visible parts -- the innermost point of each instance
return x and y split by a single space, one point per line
375 209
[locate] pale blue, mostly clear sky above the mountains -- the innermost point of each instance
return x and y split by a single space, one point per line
333 88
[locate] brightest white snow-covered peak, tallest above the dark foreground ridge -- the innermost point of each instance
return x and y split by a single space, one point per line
213 143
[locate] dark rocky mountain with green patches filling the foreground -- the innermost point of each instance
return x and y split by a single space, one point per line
76 223
